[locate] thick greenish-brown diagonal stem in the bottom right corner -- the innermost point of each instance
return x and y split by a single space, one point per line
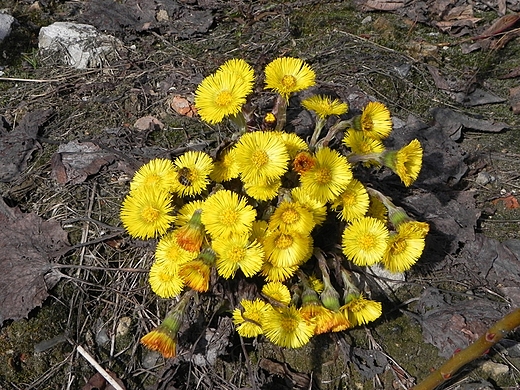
472 352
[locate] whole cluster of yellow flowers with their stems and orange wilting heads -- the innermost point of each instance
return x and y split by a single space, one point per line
256 208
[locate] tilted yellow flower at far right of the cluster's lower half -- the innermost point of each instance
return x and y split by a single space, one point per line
404 247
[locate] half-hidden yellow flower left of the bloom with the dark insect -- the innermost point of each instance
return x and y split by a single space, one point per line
158 173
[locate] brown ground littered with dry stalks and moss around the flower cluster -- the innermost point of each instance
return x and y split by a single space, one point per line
103 301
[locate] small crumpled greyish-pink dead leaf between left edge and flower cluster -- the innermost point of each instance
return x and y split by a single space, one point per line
75 161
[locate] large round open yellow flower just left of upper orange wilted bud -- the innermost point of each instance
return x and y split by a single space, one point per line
261 156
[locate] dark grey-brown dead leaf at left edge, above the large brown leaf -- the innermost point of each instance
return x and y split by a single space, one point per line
17 146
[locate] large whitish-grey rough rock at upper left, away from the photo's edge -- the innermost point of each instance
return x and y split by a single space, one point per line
80 45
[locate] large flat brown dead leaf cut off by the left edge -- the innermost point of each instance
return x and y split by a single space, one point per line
27 245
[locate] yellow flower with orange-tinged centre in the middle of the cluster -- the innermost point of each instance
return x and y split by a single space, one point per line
292 216
